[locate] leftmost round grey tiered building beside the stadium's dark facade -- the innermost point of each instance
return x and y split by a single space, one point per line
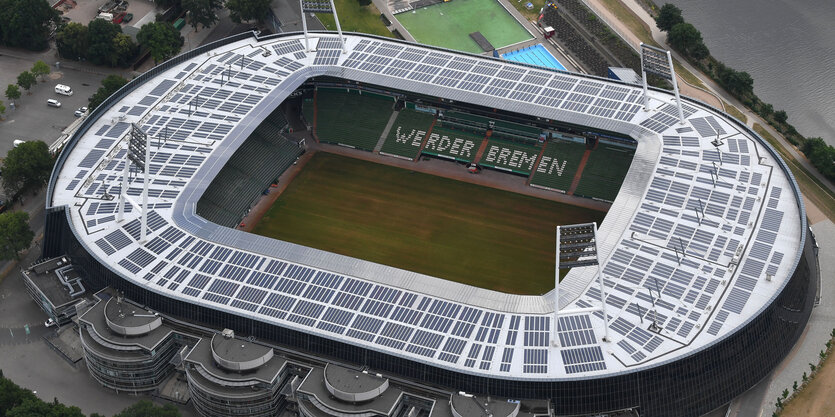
126 348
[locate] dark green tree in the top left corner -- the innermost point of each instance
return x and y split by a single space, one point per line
26 23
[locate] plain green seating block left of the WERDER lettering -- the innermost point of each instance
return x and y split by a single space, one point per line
349 118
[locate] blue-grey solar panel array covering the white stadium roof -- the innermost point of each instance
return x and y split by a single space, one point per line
676 268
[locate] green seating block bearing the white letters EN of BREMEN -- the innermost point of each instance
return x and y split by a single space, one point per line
558 165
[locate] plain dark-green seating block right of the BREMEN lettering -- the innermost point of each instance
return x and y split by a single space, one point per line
605 167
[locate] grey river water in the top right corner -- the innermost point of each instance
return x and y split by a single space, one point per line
788 47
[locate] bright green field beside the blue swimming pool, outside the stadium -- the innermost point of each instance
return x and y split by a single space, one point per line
449 25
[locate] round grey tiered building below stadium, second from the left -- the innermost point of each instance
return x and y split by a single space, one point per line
233 377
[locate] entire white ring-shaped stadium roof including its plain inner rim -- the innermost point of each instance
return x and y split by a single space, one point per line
699 240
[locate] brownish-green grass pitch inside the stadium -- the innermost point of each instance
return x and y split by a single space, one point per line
445 228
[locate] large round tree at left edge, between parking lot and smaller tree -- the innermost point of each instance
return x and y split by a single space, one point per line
26 168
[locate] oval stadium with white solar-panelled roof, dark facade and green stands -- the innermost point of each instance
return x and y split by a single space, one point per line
708 267
